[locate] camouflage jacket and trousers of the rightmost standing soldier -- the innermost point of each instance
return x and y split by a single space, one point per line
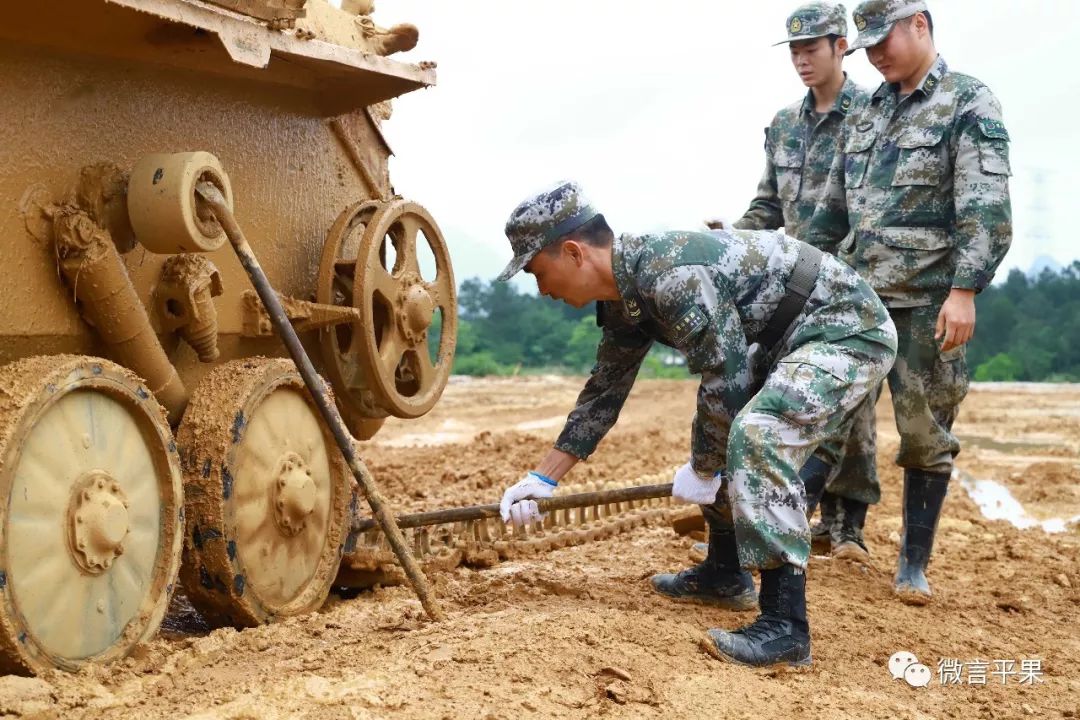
927 187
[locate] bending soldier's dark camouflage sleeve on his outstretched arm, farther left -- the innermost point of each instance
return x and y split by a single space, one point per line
619 357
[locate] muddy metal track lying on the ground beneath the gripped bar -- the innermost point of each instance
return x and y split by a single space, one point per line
369 560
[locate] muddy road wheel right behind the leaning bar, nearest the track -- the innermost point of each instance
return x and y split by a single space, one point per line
268 496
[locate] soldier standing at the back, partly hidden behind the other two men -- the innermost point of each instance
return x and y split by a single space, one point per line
795 194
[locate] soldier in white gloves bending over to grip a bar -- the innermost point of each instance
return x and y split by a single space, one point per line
710 296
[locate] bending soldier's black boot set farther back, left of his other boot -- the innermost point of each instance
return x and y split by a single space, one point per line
719 580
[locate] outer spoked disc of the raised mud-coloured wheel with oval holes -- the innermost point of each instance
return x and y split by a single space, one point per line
398 307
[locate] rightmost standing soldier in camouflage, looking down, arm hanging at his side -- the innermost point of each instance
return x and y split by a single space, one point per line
925 173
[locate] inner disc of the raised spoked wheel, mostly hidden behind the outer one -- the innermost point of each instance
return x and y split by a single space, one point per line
335 287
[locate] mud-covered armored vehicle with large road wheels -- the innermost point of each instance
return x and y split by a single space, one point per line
152 431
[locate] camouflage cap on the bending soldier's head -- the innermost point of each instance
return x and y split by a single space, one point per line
542 220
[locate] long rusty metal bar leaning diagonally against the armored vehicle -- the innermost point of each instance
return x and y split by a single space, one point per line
320 395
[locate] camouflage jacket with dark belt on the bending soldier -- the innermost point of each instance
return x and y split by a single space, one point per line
709 296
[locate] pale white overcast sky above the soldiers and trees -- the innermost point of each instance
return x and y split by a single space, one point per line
658 108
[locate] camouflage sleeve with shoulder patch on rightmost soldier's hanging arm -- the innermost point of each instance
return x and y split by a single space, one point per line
981 194
